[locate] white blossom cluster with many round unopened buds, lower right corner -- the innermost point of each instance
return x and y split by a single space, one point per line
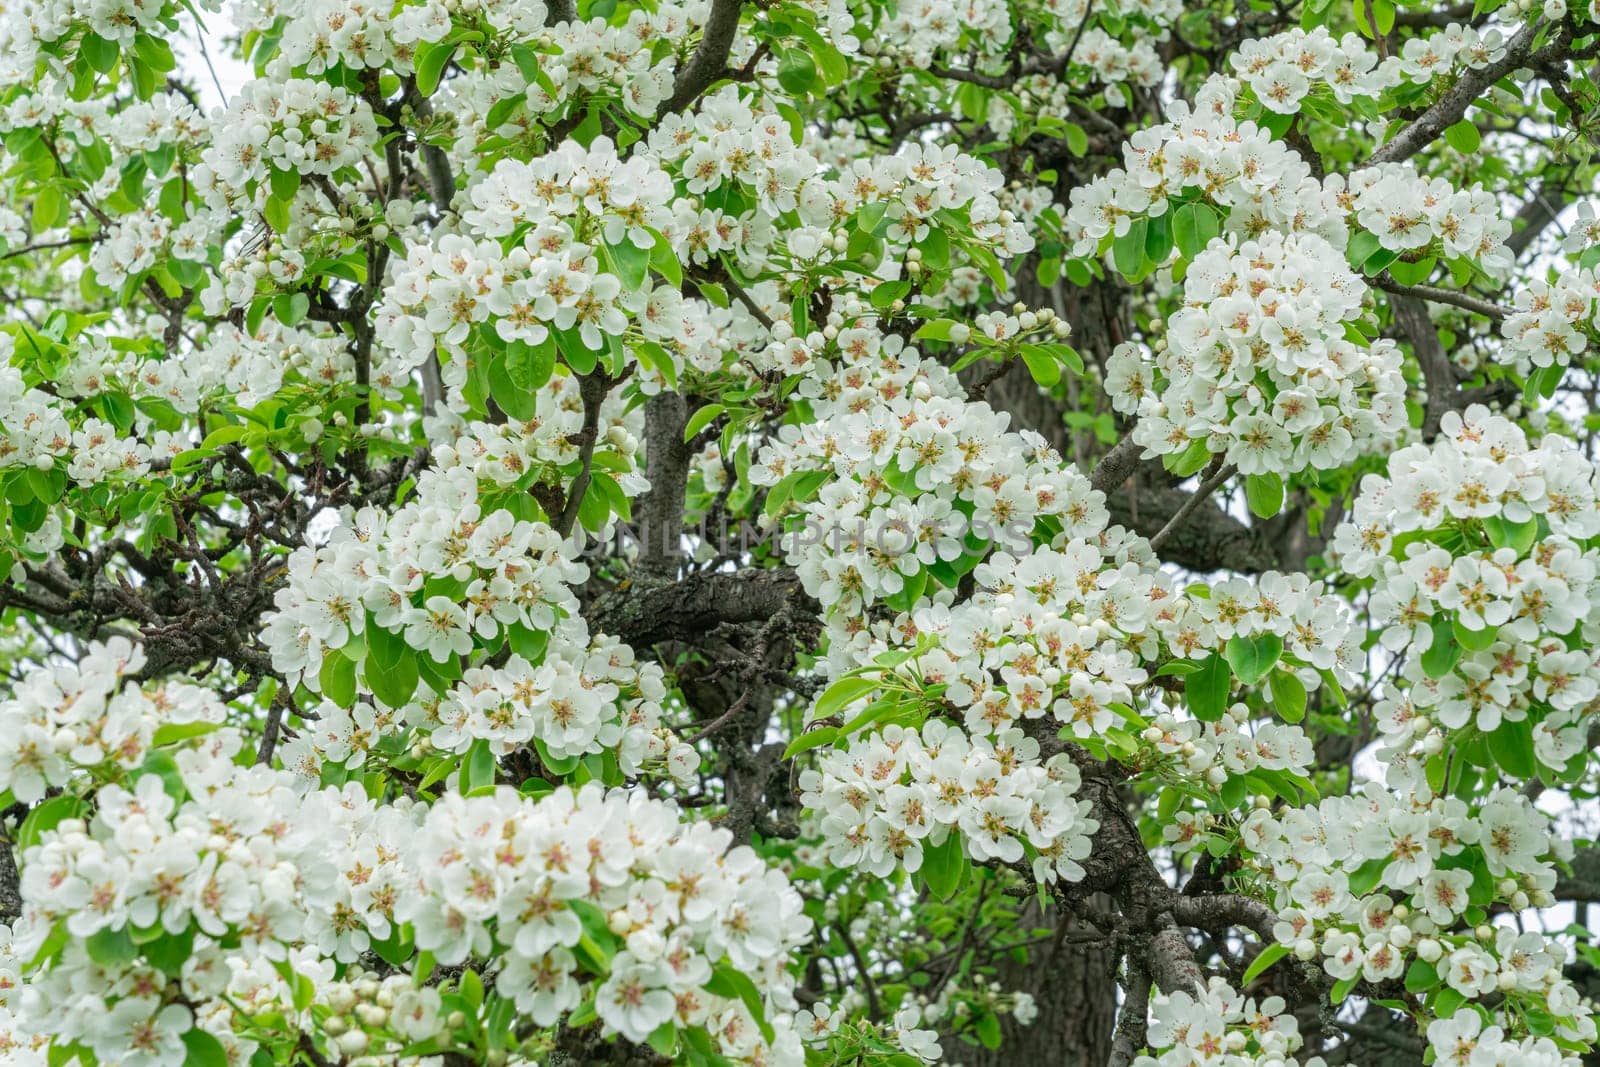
1367 884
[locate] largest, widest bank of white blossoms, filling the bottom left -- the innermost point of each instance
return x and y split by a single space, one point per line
217 852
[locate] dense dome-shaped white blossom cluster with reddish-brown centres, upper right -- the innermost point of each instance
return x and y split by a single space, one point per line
1258 367
